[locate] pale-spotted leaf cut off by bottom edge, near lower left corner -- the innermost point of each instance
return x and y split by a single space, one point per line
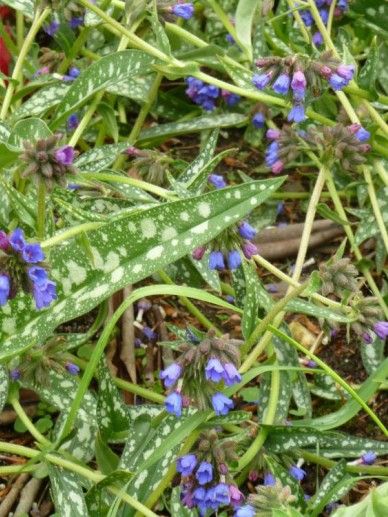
67 494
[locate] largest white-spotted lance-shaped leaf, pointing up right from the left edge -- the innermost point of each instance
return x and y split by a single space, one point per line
124 252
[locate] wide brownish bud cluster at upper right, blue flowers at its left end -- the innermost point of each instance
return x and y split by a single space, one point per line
344 144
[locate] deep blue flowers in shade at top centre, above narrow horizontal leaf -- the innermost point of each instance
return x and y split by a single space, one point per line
206 95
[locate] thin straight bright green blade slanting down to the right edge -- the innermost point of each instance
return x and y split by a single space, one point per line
332 374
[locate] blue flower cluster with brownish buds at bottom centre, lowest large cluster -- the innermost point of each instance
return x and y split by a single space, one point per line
206 483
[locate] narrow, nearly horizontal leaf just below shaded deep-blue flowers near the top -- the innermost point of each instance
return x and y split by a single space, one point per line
164 131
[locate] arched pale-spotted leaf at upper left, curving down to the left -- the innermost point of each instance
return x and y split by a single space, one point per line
100 75
